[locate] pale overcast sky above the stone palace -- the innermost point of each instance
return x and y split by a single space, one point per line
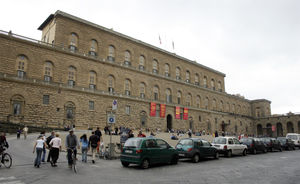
256 43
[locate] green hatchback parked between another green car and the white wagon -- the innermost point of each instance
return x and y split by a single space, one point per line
195 148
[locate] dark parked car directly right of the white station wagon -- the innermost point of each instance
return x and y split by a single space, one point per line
254 145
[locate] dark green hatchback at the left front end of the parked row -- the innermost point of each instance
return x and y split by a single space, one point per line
145 151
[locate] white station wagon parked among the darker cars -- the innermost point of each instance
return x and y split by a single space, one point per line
229 146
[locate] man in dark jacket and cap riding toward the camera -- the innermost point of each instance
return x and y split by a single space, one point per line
71 144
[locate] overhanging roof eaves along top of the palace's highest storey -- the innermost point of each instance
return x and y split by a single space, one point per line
58 12
